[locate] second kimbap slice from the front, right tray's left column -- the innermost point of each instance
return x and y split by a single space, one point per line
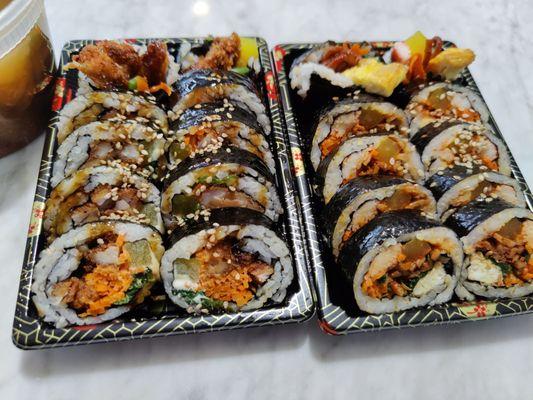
362 199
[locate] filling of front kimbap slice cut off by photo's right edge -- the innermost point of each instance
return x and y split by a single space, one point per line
503 259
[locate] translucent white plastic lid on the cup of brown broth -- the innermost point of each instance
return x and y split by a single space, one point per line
16 20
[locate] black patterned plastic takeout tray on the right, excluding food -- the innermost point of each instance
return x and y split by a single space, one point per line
336 307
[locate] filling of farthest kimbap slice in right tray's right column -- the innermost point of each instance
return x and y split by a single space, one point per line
443 103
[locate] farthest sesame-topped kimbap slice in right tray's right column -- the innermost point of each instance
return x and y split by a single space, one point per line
442 101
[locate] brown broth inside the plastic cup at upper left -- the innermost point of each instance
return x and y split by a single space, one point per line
26 88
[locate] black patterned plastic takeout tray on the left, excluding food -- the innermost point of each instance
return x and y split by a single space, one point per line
160 317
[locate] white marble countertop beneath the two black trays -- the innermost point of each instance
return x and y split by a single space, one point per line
489 360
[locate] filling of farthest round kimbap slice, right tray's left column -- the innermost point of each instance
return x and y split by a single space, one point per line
363 121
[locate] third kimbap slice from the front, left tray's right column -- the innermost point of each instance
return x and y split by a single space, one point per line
213 125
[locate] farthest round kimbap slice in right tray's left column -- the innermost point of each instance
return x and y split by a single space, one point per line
355 116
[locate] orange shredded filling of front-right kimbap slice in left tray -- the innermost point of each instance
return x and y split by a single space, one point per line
225 271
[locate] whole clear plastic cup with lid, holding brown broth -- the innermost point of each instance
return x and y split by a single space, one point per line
27 70
